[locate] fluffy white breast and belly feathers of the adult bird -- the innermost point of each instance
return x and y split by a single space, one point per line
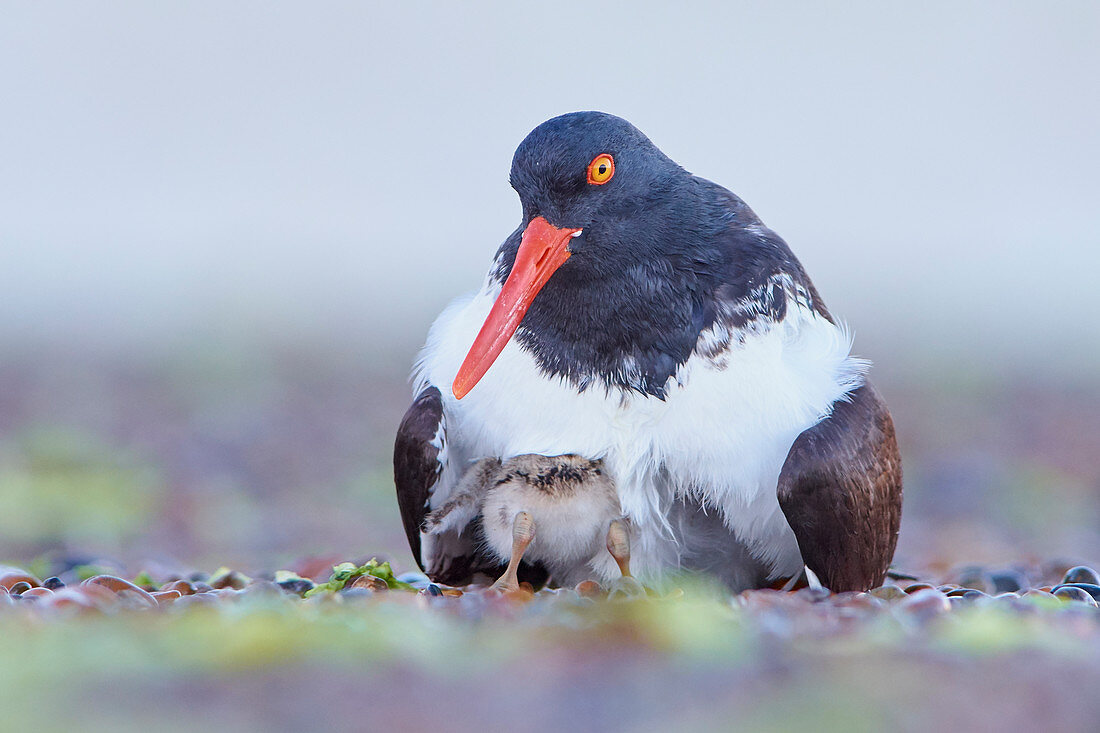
722 434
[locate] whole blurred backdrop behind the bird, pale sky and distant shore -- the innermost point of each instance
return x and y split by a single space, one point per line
225 229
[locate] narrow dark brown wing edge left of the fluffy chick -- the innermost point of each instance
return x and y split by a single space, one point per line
416 462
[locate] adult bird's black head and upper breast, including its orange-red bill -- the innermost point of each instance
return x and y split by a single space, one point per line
618 265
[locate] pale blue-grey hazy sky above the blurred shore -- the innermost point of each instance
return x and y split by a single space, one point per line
166 167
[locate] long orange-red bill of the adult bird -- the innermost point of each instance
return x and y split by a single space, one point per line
543 249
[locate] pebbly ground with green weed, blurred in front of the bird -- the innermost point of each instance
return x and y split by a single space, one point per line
281 653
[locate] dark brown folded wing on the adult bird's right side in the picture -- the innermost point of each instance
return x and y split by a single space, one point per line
841 493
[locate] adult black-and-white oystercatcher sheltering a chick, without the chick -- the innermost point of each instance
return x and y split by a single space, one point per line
645 318
